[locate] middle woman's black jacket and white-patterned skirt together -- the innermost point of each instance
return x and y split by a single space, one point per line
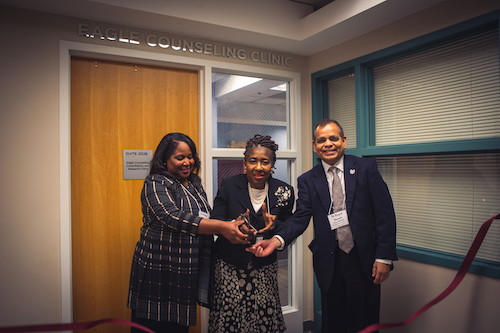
245 295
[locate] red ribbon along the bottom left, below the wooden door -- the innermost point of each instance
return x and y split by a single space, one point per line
70 326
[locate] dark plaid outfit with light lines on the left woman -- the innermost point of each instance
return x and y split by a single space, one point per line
171 263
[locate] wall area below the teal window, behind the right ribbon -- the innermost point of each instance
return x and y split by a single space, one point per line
472 308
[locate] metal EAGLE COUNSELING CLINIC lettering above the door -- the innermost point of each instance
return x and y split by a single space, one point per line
180 44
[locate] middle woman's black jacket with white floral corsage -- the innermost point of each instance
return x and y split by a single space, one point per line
233 199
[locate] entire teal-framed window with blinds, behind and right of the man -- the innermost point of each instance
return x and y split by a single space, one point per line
431 114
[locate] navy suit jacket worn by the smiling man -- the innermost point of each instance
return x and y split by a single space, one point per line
369 209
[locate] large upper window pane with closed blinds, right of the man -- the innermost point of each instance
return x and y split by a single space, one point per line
445 93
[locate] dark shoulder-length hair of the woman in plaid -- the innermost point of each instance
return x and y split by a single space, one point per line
166 148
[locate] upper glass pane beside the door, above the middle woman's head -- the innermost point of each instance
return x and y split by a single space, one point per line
243 106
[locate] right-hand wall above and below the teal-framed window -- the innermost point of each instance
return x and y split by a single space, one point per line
474 306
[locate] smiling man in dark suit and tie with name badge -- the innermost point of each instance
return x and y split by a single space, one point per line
349 279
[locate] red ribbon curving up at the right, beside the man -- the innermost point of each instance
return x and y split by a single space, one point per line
456 281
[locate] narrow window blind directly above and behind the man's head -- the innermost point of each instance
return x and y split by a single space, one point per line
342 105
